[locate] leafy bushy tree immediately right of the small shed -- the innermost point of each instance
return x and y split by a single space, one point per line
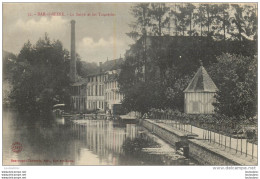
236 78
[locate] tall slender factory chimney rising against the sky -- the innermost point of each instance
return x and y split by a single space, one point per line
73 53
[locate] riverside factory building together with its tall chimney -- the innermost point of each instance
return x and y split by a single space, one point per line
99 91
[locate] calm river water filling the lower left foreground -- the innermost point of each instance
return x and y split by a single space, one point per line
82 142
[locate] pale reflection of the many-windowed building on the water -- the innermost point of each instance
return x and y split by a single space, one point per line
103 138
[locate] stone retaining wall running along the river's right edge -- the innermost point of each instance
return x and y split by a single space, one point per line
198 150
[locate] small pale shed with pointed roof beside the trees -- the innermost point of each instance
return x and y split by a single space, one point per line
199 95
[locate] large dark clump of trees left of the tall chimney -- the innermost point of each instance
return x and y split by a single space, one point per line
40 76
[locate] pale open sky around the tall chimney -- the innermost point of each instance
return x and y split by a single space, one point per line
97 37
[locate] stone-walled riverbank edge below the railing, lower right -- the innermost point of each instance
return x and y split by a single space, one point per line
203 151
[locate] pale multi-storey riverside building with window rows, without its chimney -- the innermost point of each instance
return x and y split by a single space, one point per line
102 87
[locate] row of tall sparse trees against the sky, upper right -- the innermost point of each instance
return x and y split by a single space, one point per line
220 21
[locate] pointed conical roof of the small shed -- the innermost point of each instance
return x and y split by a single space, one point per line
201 82
